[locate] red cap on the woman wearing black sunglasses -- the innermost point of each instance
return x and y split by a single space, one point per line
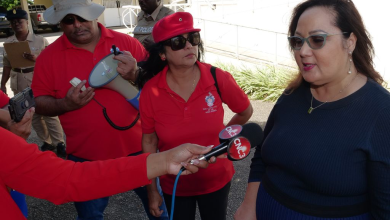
173 25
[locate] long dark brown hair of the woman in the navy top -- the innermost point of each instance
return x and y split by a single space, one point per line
347 19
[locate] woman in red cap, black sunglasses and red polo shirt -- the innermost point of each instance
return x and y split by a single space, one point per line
181 102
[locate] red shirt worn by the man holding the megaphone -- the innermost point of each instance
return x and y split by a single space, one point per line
88 134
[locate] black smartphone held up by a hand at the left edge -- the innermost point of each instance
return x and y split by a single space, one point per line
20 103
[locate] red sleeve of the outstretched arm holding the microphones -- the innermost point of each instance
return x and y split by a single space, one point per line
43 175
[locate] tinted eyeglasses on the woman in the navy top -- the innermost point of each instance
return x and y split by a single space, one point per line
315 42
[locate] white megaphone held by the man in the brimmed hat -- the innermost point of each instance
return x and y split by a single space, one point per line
104 74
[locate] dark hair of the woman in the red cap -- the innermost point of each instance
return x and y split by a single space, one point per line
153 65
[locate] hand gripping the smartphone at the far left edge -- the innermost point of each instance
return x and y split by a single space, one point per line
22 128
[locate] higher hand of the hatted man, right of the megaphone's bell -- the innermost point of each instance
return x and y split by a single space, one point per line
127 67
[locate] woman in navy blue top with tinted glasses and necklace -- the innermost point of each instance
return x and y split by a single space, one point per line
326 150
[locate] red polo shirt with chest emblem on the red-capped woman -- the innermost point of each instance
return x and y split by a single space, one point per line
198 121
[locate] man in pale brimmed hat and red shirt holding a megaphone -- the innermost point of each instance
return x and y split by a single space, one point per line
89 136
